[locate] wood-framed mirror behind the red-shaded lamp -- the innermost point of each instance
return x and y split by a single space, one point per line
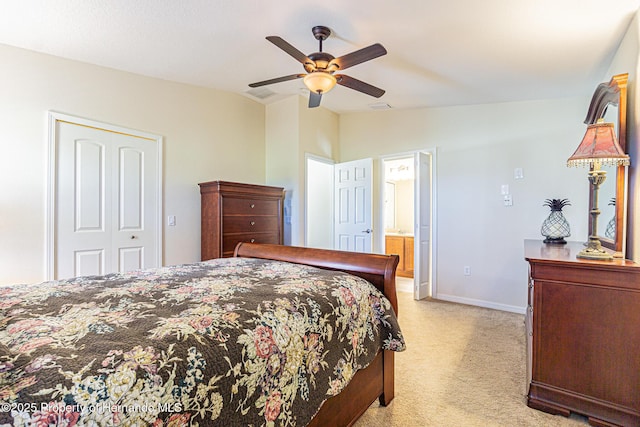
609 101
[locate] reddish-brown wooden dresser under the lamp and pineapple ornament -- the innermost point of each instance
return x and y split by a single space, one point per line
583 330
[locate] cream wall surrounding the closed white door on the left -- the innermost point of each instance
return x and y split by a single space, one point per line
208 135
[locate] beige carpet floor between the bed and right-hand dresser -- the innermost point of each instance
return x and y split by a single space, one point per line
464 366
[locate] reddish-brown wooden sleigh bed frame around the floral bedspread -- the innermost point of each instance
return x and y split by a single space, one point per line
376 380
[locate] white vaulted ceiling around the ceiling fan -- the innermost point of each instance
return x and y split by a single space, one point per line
440 53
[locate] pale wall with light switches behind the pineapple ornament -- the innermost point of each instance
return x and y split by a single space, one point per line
478 148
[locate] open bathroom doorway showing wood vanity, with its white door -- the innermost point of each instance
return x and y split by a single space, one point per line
407 216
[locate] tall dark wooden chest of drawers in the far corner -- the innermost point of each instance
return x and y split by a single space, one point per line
233 212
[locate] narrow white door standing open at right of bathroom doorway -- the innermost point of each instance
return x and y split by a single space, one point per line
422 231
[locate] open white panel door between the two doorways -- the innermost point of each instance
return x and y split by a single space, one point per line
353 205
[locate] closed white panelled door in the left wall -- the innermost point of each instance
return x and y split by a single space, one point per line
106 201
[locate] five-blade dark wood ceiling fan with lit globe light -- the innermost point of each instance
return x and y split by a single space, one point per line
321 66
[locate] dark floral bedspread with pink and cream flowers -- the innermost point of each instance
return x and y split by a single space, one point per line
232 341
